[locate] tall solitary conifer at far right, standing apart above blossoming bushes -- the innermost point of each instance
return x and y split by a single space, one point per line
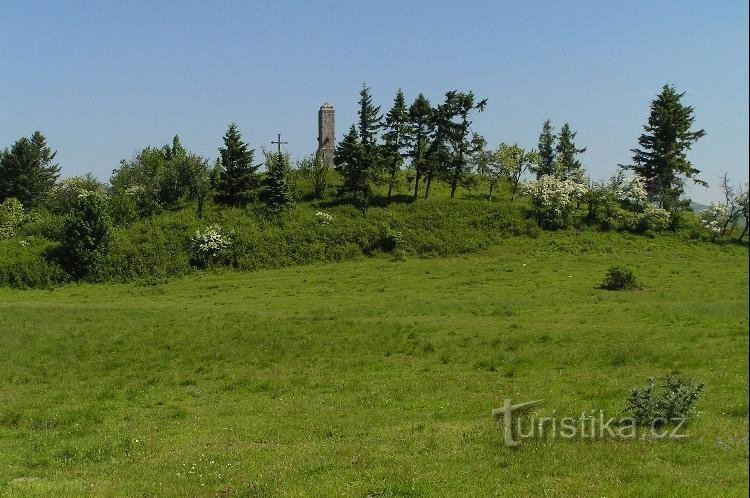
662 157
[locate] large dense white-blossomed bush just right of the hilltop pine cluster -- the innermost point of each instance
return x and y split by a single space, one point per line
553 198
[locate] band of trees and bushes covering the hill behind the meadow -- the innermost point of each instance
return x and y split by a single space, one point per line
420 170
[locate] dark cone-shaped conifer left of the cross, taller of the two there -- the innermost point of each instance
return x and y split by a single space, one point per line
238 177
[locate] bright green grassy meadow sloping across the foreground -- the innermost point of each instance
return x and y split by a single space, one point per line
377 377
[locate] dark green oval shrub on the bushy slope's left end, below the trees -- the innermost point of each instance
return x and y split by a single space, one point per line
85 235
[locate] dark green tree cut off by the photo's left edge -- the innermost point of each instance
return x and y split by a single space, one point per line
27 171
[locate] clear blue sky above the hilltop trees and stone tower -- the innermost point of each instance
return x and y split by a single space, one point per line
103 79
